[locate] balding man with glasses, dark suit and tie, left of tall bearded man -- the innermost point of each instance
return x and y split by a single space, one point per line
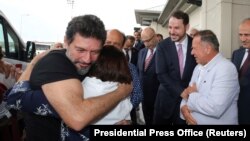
147 73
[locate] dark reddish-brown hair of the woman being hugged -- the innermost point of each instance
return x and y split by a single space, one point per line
111 65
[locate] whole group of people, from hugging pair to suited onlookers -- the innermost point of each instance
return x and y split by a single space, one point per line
107 77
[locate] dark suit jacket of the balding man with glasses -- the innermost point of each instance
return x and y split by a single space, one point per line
149 83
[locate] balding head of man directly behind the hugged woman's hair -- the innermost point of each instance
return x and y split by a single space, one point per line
115 38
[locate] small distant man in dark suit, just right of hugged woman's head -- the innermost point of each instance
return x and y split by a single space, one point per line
130 52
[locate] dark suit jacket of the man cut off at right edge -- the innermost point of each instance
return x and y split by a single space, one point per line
244 97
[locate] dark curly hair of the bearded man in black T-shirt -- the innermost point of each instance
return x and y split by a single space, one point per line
86 26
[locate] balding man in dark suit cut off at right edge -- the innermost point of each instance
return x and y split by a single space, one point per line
241 59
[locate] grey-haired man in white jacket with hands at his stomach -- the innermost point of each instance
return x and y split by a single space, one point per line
213 91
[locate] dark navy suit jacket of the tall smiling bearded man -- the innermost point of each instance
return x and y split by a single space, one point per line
168 73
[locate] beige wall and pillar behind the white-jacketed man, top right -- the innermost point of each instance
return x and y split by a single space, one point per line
223 17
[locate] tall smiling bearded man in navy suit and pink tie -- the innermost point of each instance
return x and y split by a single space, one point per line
174 68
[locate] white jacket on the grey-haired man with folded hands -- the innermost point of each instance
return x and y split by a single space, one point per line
215 101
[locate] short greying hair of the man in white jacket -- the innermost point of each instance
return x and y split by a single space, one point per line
209 37
